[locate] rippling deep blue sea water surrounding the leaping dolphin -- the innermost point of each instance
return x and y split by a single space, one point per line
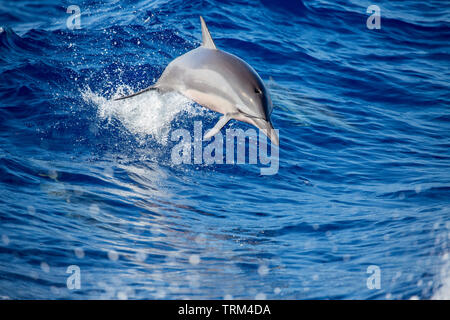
364 163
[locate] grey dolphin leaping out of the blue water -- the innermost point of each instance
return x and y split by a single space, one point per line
221 82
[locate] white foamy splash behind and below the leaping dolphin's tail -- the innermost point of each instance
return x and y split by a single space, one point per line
150 113
